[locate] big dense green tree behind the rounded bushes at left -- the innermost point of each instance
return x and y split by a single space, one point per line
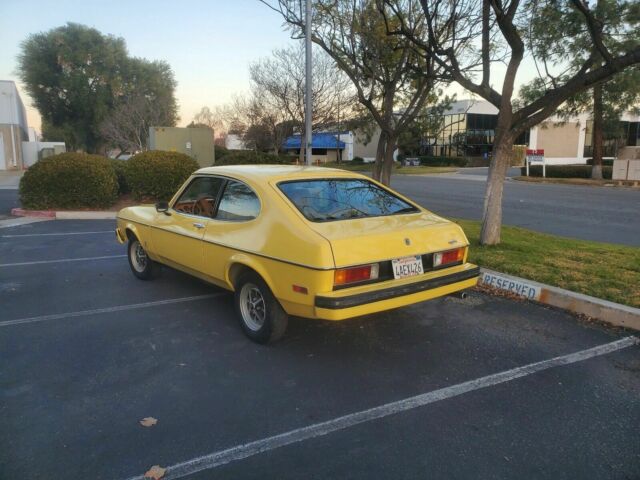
77 77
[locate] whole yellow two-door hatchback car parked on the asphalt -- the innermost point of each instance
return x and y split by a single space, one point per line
312 242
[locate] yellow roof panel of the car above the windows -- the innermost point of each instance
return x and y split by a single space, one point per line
265 173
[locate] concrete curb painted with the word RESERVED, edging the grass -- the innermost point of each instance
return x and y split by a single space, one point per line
613 313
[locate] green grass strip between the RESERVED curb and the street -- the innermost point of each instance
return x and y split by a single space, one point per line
603 270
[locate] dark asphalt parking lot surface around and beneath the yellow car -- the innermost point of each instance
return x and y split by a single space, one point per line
478 388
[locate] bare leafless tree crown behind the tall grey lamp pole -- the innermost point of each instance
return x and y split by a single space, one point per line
278 91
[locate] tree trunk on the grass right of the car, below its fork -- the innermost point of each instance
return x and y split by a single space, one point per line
492 216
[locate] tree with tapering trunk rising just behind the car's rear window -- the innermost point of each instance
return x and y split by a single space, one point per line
392 81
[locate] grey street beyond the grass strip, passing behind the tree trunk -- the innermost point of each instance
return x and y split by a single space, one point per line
604 214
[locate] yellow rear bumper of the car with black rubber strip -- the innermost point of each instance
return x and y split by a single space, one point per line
340 305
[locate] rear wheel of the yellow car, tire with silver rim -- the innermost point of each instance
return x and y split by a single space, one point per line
260 326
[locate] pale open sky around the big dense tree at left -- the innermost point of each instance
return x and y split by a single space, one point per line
209 44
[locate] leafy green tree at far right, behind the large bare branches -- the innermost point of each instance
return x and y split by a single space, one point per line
606 101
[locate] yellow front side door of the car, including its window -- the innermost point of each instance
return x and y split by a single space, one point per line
178 236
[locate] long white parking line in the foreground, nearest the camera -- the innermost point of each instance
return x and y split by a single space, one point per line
240 452
